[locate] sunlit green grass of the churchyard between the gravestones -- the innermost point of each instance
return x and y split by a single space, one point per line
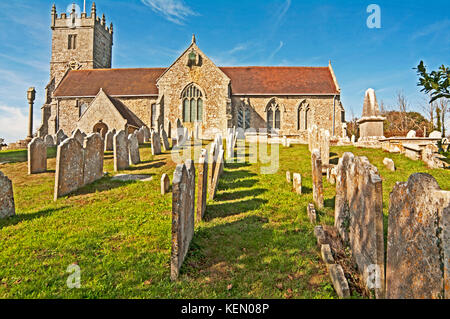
256 240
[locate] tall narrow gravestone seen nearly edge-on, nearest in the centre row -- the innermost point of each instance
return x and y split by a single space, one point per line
183 218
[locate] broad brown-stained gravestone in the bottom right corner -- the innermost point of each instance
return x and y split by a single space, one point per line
418 247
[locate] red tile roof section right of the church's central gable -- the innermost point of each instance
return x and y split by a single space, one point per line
280 80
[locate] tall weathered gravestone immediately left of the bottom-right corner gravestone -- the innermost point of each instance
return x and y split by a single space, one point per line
359 217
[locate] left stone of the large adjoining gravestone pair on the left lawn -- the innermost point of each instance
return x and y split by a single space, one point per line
69 167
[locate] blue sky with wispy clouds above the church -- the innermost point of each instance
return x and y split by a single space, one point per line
152 33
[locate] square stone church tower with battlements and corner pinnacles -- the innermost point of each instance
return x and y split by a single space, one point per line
79 41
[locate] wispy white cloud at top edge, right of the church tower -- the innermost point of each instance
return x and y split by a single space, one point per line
173 10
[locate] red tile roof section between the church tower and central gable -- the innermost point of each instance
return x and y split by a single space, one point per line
115 82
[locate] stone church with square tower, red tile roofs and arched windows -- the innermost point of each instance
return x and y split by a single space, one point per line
85 92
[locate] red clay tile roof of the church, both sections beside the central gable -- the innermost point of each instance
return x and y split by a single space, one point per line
244 80
